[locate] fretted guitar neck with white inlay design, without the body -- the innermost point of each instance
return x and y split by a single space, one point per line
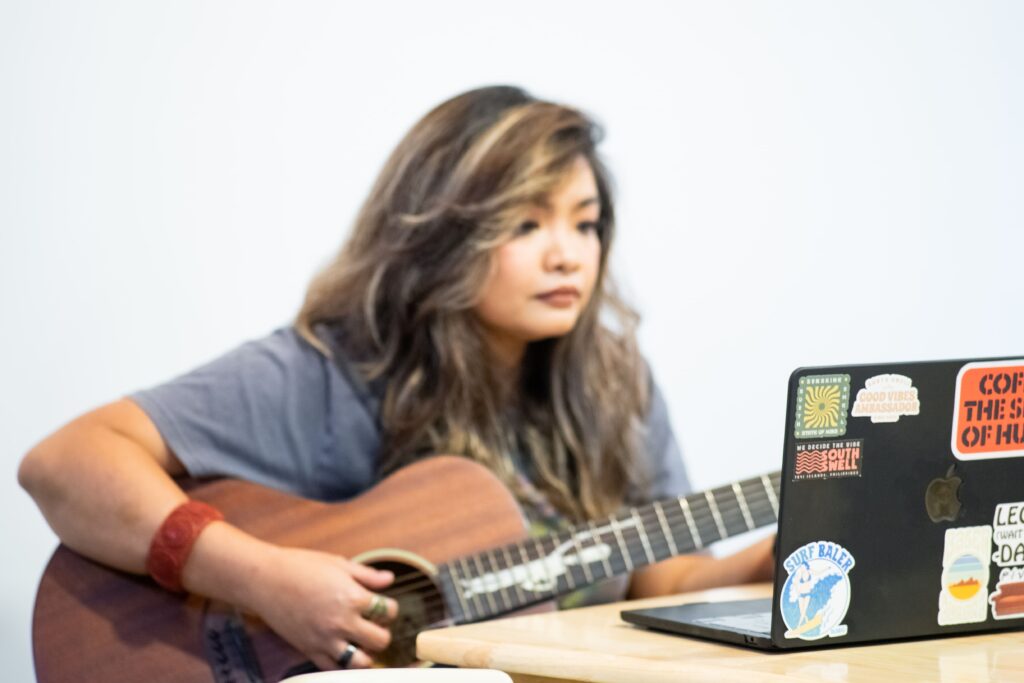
510 578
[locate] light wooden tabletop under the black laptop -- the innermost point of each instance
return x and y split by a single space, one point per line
593 645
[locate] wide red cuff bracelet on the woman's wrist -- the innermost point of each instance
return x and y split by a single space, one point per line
175 540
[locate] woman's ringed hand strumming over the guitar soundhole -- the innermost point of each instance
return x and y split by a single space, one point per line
317 603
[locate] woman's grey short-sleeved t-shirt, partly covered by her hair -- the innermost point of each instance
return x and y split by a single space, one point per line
278 413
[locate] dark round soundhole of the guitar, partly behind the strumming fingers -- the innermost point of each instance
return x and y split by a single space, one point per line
420 606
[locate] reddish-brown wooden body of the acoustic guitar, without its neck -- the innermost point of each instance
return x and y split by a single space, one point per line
93 623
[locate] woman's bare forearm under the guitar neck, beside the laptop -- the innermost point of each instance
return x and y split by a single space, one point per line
696 572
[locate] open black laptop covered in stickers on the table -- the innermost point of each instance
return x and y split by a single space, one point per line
902 511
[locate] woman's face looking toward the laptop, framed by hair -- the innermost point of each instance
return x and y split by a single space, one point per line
542 279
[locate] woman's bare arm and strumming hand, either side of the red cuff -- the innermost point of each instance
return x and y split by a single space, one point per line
105 484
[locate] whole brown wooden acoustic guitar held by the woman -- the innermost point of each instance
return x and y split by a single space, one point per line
451 532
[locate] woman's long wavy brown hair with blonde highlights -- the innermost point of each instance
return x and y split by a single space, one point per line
402 293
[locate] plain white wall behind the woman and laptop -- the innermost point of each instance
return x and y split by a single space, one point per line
800 184
